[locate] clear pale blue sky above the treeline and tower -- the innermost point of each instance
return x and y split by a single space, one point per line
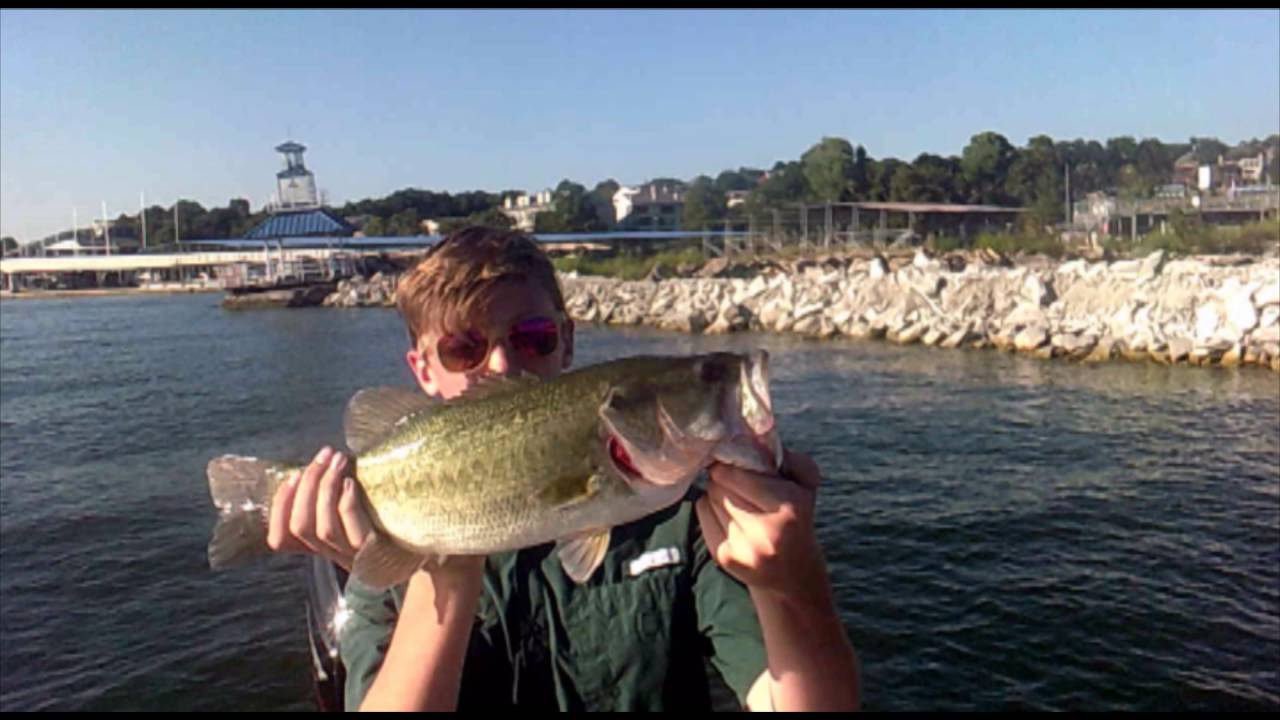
104 106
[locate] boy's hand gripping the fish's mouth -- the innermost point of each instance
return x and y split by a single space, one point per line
760 527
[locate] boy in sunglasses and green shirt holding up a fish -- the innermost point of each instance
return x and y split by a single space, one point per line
735 573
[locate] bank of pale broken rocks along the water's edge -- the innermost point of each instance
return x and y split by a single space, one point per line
1197 311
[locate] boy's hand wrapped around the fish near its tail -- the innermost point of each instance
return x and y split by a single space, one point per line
322 512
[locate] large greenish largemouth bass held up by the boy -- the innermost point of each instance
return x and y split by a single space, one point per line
518 463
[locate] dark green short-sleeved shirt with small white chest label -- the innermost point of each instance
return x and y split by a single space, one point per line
634 637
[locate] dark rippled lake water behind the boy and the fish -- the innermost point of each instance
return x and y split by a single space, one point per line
1003 532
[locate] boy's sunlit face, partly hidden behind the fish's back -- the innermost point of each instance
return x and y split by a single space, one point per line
510 306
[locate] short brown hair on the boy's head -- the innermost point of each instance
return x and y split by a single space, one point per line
438 294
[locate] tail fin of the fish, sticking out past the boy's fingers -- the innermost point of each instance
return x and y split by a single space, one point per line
243 490
